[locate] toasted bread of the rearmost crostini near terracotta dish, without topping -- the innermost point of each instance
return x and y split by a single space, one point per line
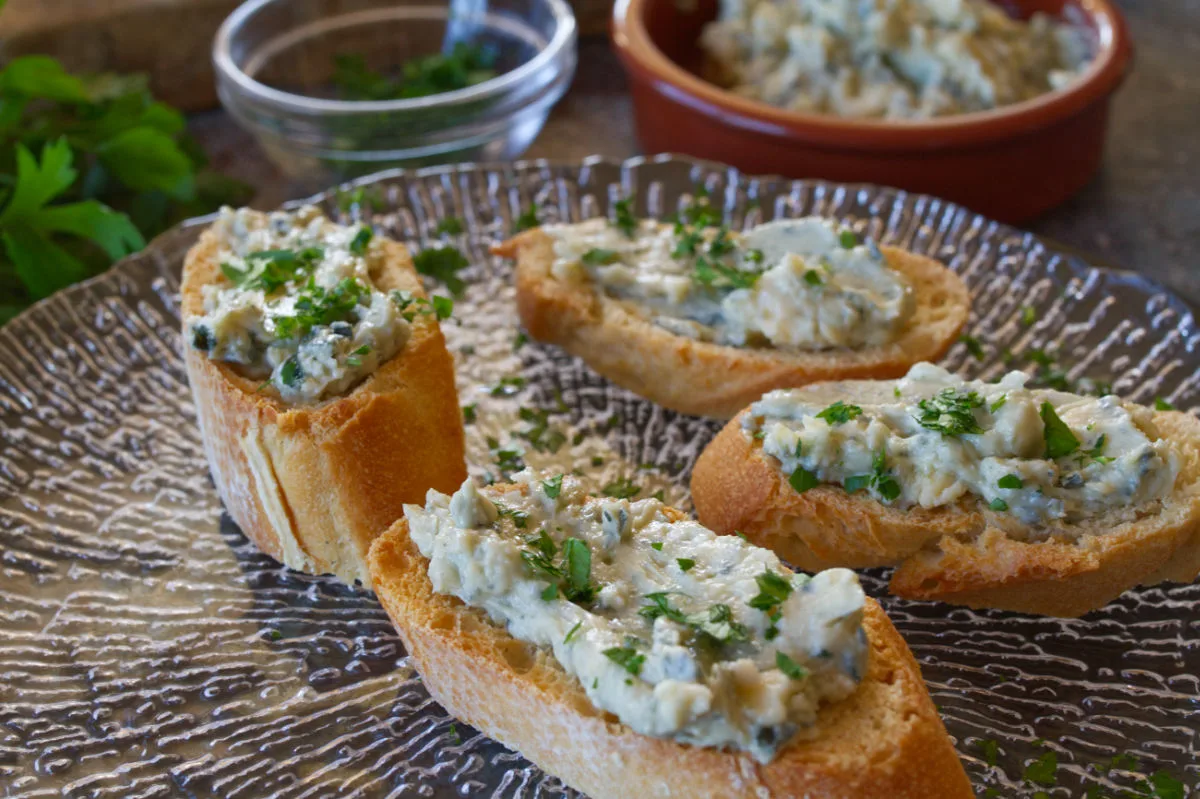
707 380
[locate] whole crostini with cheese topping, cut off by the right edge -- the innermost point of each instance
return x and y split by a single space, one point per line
986 495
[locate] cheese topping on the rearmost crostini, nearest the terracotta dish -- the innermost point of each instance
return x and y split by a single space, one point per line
799 285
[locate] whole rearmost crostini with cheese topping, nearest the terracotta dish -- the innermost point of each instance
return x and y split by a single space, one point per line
705 321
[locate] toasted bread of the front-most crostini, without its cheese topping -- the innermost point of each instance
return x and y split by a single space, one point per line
885 742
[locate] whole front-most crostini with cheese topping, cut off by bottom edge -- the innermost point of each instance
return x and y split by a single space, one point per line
633 653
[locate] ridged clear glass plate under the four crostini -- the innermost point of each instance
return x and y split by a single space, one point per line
148 651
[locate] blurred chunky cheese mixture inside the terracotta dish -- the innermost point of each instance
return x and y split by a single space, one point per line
896 59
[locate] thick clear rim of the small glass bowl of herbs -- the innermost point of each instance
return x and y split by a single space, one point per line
223 58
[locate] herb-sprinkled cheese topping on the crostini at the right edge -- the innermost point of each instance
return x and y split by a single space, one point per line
933 440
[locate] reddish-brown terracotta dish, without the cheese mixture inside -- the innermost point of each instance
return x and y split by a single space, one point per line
1010 164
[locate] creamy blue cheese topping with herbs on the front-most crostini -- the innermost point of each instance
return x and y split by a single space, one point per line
677 632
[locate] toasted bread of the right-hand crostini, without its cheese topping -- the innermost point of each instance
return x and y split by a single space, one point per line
958 554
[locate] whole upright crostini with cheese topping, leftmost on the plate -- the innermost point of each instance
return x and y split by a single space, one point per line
323 387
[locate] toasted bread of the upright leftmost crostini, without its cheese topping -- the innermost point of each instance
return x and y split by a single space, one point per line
314 485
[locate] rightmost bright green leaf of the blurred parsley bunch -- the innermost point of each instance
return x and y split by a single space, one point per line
146 159
